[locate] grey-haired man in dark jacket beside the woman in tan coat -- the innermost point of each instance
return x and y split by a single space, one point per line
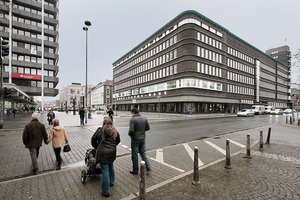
33 136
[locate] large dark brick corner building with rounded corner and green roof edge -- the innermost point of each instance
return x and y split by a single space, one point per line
194 63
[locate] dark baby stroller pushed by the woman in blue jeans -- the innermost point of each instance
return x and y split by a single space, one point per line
92 168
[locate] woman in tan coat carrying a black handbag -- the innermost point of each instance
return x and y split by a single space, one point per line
59 137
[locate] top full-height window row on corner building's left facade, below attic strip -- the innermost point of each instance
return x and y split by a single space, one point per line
148 54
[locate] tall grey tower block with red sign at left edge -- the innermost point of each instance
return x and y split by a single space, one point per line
33 61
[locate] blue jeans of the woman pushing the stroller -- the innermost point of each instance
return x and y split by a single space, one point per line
108 177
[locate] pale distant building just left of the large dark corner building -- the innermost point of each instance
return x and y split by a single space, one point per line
101 95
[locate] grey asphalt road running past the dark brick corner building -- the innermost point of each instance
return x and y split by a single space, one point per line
165 133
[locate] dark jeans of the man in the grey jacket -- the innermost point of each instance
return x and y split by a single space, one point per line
138 146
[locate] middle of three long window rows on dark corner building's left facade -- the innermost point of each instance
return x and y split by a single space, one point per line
149 65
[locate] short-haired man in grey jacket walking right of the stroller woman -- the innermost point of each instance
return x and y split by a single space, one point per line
137 131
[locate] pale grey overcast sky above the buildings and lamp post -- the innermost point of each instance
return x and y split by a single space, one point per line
120 25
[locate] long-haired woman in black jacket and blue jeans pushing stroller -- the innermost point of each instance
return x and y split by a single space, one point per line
106 155
